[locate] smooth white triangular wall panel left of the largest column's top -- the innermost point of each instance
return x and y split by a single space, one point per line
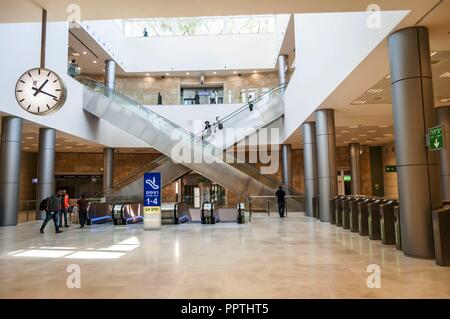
329 47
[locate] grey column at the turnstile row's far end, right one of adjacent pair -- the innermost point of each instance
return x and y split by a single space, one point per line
326 161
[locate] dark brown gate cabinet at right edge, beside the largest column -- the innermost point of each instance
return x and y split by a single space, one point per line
441 230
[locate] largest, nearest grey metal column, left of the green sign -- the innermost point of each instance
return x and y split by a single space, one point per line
418 168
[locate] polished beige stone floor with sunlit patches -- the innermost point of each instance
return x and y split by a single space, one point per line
296 257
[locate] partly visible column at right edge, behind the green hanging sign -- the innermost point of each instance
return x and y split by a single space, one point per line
443 118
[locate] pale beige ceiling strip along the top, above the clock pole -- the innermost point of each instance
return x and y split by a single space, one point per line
29 10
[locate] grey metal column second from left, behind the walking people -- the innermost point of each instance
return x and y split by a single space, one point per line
46 165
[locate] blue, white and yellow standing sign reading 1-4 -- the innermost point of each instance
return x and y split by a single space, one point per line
152 200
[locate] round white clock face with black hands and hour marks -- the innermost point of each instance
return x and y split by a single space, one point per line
40 91
